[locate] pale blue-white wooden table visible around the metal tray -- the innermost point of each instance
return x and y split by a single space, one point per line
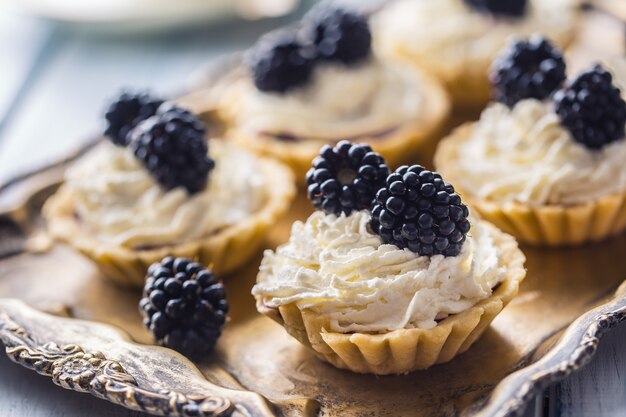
53 85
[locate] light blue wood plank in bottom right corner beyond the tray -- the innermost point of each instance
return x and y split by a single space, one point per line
598 390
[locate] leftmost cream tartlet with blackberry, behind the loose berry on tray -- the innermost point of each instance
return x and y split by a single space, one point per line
156 191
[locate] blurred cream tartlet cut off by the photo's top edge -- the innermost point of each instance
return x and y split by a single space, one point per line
458 39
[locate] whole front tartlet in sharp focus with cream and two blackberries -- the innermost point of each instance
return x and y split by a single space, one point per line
390 275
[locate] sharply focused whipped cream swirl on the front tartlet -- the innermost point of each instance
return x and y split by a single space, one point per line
337 267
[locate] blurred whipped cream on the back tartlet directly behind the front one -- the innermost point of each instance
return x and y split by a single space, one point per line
339 102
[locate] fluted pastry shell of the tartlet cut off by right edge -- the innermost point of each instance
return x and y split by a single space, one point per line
549 225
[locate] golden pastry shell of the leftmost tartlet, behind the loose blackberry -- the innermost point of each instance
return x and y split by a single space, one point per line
227 249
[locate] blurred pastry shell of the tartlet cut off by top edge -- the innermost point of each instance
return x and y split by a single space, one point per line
466 82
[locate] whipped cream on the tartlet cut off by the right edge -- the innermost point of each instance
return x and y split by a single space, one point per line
525 155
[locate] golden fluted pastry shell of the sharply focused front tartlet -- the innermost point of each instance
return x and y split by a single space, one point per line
404 350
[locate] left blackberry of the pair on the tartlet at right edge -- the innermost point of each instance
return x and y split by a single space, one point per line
531 68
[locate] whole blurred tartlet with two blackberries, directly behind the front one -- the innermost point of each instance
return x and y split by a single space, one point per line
320 82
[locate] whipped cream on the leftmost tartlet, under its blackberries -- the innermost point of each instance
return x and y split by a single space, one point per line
118 201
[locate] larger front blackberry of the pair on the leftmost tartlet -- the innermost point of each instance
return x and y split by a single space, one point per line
171 145
